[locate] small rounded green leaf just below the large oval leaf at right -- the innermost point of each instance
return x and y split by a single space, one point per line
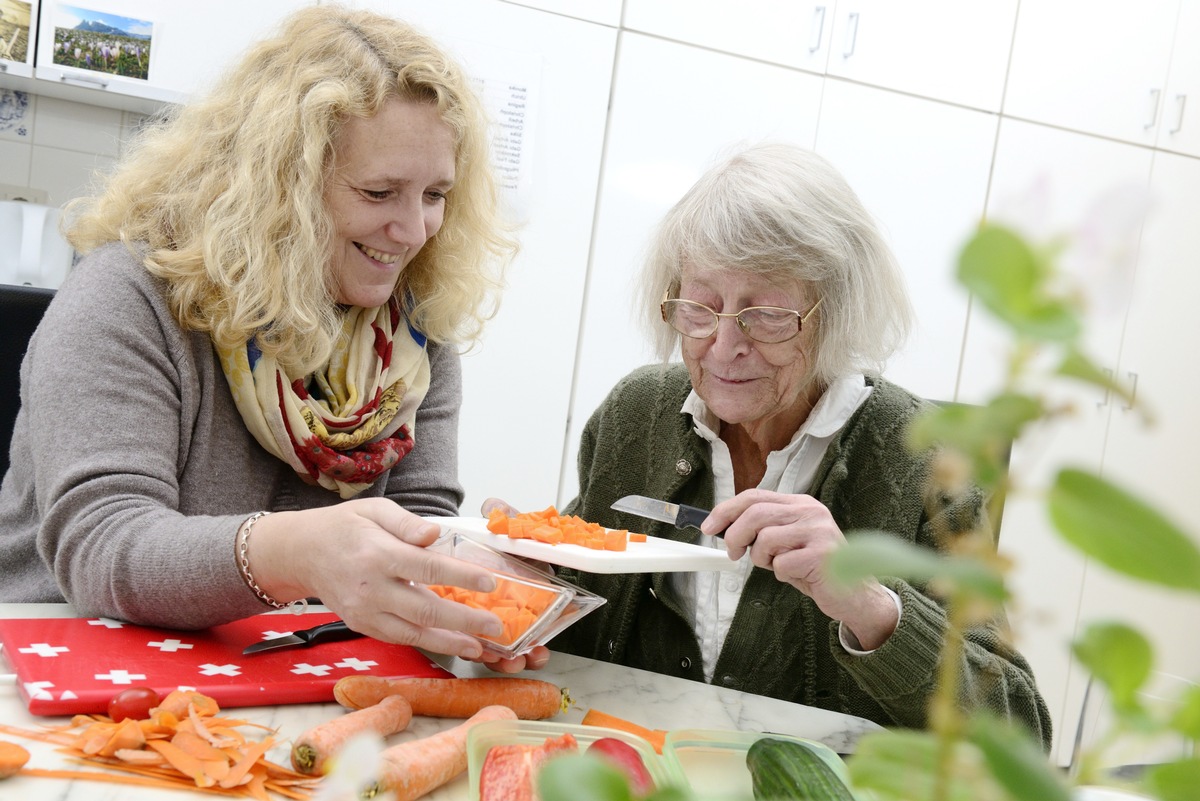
1120 658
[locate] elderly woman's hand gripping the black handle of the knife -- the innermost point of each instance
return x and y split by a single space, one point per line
793 537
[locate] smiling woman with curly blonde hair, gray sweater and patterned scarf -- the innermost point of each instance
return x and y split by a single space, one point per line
248 393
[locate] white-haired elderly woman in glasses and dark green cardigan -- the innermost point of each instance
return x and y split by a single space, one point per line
785 300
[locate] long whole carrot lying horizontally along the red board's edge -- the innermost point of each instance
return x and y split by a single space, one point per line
532 700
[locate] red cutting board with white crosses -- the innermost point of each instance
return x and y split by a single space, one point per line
71 666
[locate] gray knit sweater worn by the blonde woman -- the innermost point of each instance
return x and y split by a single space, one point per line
133 471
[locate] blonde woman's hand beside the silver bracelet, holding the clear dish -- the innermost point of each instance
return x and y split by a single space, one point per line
368 561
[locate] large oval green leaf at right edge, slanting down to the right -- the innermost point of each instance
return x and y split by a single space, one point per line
1113 527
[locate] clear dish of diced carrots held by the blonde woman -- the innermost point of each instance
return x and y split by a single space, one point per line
535 605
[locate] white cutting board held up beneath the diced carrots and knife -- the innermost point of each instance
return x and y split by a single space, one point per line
656 556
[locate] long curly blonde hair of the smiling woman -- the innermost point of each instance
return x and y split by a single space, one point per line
226 200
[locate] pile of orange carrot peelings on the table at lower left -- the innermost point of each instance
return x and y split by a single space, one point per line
185 743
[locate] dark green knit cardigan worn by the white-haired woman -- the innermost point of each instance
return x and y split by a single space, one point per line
781 645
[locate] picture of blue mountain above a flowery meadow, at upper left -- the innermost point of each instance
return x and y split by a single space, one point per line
103 43
